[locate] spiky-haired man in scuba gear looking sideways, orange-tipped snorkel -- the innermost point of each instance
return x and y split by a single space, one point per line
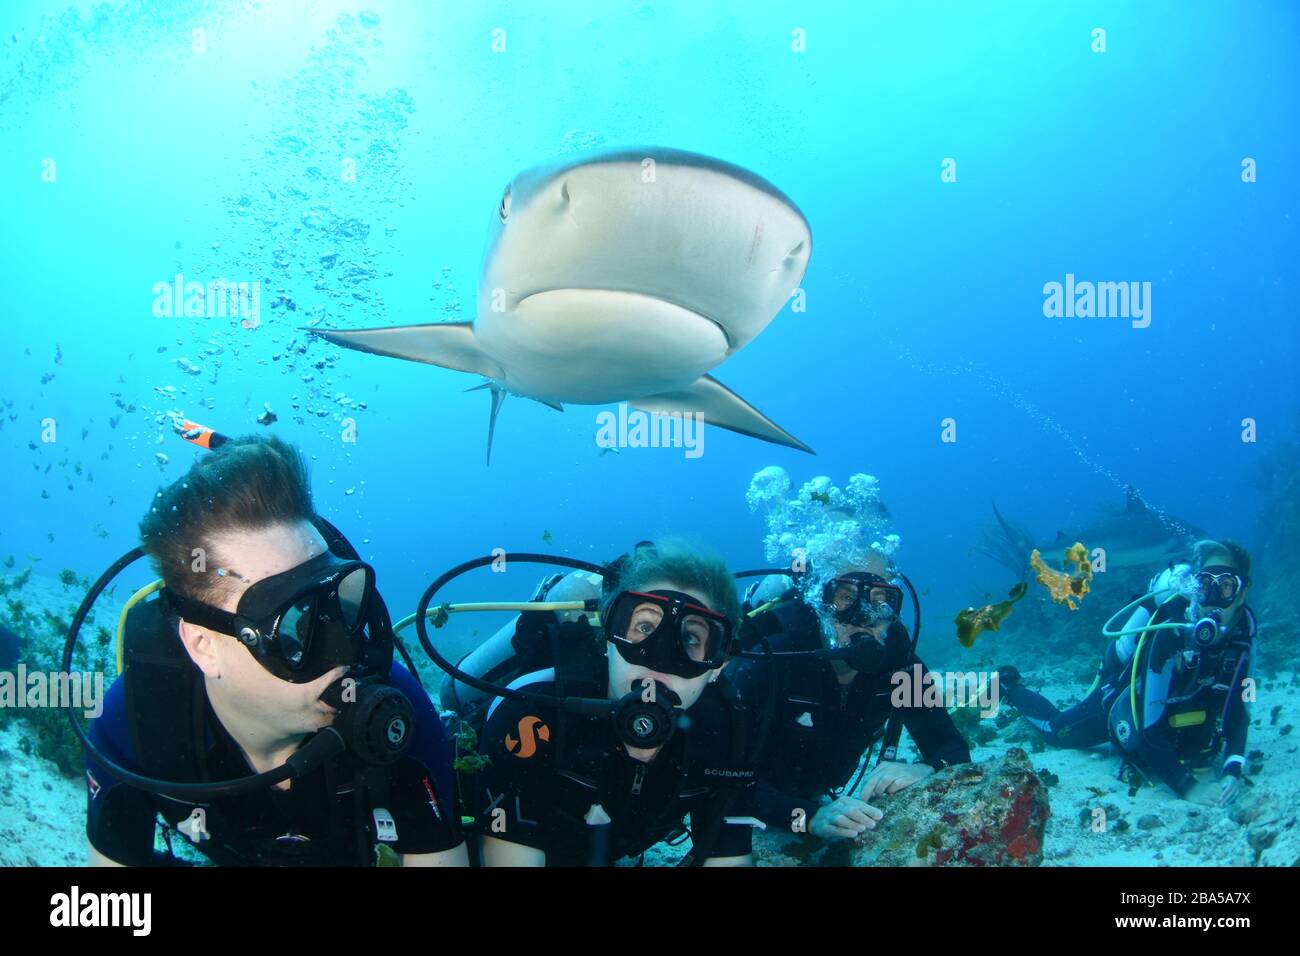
259 712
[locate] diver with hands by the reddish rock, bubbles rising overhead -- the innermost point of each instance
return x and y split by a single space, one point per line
830 708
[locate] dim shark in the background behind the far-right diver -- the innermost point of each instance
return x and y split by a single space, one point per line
1133 537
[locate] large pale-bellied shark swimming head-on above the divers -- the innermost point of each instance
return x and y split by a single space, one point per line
617 276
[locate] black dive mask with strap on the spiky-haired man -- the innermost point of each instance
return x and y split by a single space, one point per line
304 622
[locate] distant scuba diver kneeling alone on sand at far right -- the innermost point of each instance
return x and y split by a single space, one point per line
1169 690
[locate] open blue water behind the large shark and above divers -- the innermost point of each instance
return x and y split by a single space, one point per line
925 299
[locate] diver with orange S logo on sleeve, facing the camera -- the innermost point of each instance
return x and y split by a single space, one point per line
565 784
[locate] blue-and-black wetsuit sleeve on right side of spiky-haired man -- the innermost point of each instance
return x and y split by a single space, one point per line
423 799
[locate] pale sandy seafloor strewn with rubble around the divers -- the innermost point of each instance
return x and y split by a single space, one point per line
44 812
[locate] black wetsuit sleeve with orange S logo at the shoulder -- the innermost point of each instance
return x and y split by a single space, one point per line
512 797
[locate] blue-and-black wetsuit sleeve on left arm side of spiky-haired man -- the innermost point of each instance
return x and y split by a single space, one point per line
120 820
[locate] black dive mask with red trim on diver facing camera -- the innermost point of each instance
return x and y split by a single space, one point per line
669 631
